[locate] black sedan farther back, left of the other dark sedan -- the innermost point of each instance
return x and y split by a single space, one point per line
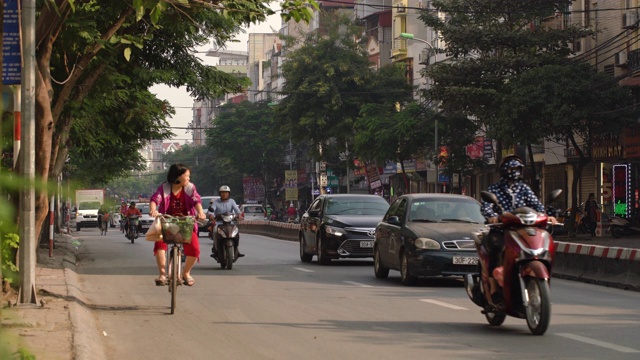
340 226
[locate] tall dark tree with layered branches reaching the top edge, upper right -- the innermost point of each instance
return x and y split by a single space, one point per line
491 42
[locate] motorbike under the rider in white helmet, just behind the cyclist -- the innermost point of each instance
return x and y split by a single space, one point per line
226 240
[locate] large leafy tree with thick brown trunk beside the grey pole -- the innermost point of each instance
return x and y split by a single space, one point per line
79 41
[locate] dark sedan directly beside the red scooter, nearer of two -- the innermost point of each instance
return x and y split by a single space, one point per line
428 235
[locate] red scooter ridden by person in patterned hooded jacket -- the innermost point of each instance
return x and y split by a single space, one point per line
524 272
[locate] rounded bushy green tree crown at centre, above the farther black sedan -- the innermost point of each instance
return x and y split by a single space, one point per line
325 83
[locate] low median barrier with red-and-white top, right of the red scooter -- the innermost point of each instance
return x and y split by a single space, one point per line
609 266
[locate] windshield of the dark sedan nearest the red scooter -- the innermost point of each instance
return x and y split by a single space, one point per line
446 210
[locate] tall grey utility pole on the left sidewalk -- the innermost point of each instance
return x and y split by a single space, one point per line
28 246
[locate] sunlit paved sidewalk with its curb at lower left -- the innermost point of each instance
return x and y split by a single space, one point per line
61 326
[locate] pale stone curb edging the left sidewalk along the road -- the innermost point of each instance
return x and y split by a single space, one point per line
87 342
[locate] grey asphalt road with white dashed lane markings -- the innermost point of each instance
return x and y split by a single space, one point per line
272 306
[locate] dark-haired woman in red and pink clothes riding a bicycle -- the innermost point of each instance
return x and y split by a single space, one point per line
177 197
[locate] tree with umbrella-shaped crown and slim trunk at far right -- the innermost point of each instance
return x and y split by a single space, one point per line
579 107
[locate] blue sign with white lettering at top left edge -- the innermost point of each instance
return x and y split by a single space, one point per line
11 59
